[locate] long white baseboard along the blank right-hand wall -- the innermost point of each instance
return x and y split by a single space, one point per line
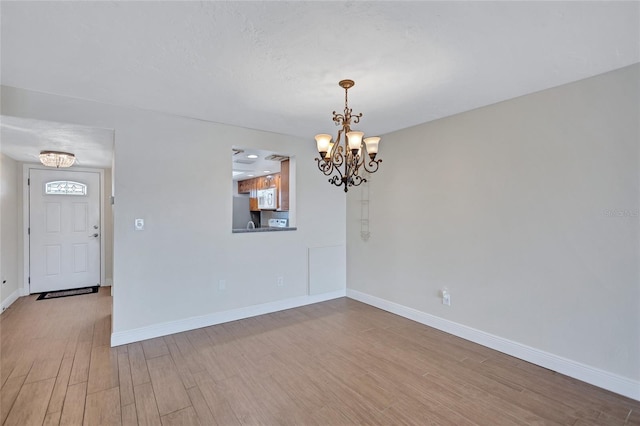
603 379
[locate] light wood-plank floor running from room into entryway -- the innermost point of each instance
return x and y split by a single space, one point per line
334 363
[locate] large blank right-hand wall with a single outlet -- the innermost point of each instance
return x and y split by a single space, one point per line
514 207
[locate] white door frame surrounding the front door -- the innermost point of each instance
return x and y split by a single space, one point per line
26 261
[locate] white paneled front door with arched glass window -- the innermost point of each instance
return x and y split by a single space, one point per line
64 222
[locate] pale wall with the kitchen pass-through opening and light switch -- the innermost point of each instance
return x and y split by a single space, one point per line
175 173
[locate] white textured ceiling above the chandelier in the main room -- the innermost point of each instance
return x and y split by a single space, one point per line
275 65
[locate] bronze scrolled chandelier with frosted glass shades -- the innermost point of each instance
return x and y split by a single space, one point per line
346 162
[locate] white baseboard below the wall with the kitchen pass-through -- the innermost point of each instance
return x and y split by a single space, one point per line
157 330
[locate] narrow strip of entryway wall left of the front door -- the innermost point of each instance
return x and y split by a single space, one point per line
9 248
